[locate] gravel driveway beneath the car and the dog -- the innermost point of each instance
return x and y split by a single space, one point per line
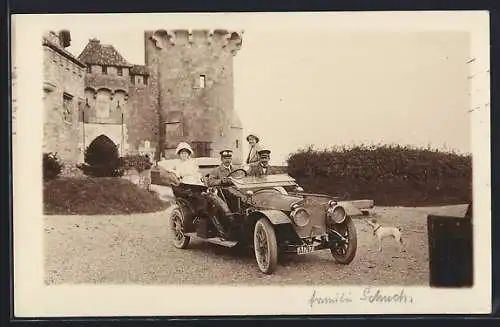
136 249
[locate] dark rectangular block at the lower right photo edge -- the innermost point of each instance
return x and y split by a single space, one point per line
450 251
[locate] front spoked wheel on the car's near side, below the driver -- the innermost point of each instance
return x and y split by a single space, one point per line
265 246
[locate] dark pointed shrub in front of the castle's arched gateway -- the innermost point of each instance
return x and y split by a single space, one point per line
102 159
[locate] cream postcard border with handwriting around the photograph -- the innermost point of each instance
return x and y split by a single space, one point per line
34 299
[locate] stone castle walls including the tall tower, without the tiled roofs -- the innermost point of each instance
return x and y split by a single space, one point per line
176 60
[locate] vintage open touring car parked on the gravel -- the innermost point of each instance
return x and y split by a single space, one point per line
271 214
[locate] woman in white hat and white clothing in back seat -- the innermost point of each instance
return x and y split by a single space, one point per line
186 168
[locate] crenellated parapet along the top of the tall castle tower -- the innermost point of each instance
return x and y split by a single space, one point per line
225 39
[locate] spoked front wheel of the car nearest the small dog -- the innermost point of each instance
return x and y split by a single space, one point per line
344 251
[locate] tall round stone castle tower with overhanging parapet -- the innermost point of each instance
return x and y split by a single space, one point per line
192 78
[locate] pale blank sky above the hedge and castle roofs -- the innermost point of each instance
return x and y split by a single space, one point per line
300 87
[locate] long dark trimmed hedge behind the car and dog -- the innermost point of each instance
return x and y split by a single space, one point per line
388 174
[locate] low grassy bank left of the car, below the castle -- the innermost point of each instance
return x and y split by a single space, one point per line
98 196
